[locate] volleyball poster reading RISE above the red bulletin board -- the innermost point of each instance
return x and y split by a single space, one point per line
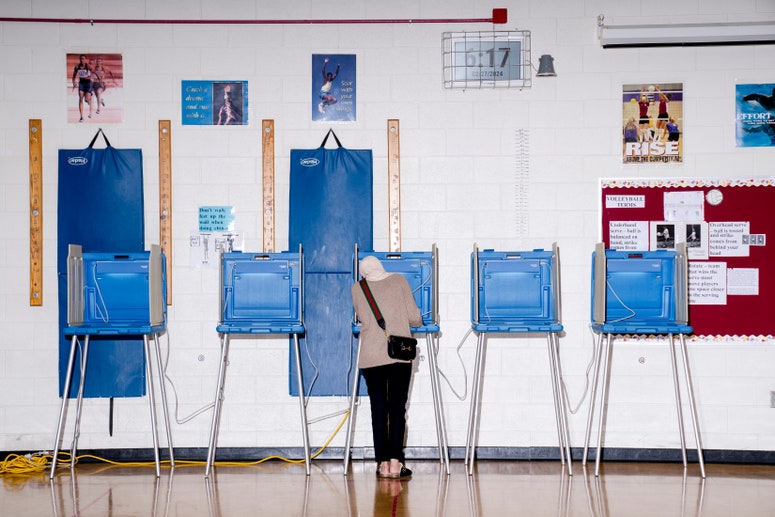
652 123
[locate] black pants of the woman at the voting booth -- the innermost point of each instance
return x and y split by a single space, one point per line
388 392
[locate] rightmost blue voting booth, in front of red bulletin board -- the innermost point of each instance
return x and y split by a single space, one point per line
639 293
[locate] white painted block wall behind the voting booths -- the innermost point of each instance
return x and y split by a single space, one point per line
459 186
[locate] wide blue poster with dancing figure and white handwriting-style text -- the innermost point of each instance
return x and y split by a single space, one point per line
214 103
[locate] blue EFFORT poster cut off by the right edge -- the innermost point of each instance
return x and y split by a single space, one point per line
755 104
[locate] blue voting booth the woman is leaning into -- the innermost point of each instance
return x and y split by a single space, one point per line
421 272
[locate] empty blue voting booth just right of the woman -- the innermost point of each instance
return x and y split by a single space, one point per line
516 292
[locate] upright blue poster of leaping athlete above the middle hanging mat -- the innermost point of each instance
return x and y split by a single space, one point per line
333 87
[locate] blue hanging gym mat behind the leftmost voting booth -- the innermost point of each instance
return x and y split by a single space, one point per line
100 207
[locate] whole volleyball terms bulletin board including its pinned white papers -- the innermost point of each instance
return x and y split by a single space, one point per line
731 280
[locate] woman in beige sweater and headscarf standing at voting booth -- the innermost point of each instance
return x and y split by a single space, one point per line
387 379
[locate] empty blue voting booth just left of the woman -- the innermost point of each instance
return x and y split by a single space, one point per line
260 294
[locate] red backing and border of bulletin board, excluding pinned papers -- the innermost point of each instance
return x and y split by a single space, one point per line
744 200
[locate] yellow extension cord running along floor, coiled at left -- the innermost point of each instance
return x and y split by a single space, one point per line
39 462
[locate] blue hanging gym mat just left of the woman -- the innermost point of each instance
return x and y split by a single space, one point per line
331 209
